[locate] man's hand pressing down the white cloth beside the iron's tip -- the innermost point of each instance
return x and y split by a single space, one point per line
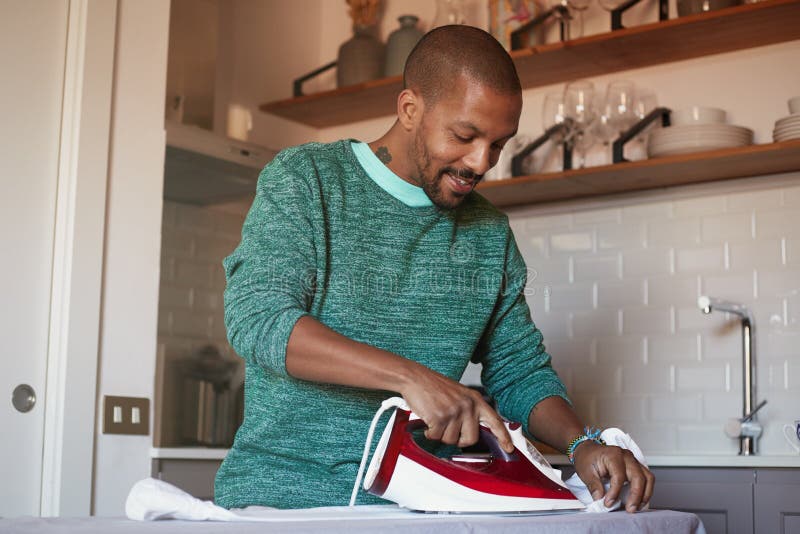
594 462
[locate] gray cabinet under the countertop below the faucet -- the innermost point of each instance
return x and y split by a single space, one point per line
733 500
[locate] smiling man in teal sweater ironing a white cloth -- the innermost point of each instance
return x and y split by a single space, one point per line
367 271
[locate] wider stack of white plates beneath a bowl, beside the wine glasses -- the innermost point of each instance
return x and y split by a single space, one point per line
697 137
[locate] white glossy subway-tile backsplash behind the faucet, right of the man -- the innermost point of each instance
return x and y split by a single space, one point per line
648 257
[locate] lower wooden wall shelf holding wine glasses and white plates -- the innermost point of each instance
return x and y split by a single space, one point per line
753 160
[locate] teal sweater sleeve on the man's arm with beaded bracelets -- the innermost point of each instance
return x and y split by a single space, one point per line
516 367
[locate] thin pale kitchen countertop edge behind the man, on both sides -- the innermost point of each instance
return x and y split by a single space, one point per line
687 460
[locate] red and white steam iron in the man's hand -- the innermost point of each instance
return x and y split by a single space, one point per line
403 472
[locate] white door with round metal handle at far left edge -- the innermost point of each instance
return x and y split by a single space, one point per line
32 63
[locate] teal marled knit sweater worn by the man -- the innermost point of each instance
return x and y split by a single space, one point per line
439 287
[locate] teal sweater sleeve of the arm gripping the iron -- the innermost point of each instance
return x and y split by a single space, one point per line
271 274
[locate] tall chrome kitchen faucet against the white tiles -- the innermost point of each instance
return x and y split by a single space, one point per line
746 429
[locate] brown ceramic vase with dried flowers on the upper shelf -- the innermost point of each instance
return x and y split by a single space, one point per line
360 57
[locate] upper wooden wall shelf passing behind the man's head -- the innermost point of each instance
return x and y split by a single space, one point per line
735 28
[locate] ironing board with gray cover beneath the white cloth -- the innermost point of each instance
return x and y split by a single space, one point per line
653 521
